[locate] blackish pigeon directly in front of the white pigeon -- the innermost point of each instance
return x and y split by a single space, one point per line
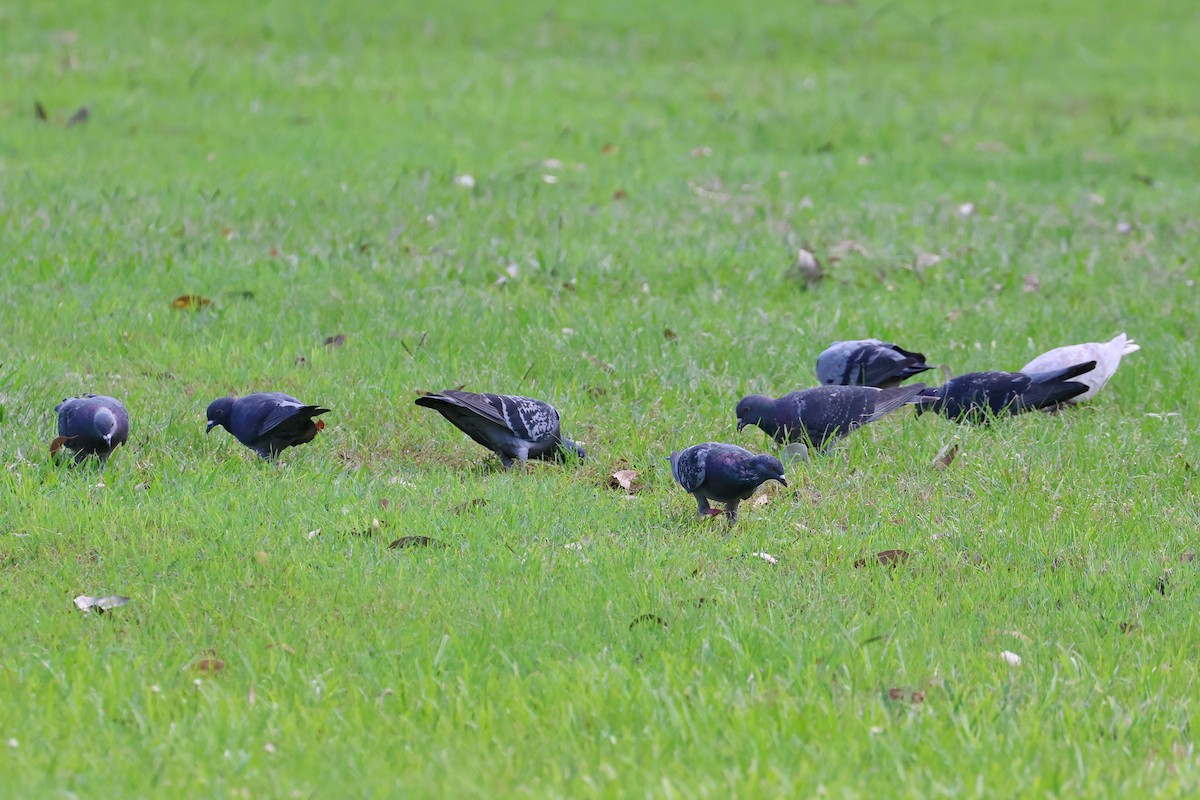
980 396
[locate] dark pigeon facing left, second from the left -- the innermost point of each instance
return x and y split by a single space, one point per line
267 423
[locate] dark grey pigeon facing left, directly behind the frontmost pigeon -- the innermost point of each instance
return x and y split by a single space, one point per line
820 417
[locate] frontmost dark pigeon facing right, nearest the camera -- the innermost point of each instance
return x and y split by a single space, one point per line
724 473
